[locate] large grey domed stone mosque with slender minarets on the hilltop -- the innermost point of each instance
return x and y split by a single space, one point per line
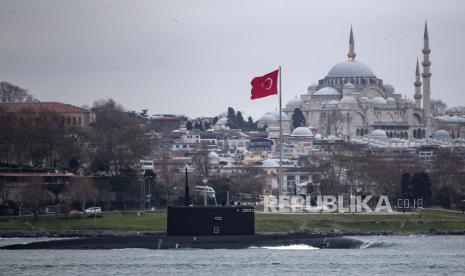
351 102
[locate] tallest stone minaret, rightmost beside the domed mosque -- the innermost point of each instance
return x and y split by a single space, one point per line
426 81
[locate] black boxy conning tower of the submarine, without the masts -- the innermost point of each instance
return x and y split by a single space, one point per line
210 220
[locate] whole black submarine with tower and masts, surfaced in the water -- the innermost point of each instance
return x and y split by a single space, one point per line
202 227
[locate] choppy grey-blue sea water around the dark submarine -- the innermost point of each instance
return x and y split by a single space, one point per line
380 255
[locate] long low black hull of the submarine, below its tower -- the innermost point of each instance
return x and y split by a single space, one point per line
163 241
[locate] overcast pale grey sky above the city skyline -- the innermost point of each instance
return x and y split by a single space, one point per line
198 57
